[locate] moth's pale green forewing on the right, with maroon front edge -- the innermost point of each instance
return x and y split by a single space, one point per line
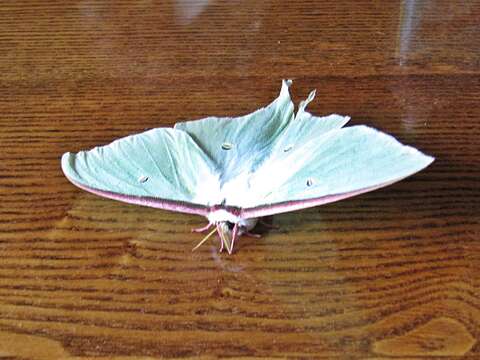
339 164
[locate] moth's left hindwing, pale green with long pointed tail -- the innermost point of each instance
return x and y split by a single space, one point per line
240 144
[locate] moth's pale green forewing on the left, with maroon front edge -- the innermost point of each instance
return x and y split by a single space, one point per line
162 168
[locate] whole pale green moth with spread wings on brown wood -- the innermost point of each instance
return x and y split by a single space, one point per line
236 170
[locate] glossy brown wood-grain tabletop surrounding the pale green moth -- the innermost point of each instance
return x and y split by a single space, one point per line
392 273
